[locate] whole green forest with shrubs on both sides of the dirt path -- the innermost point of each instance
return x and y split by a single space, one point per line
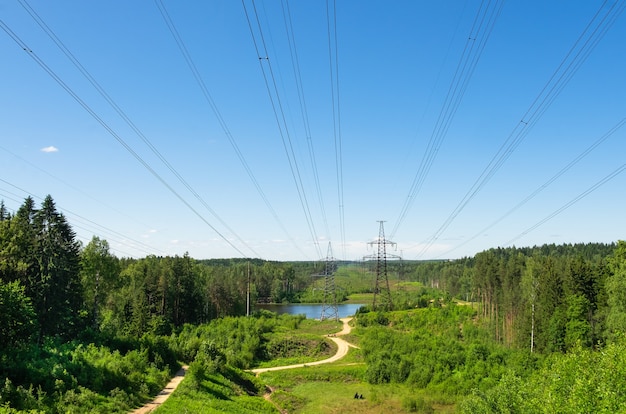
82 330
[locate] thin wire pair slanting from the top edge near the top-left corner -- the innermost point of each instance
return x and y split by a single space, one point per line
124 116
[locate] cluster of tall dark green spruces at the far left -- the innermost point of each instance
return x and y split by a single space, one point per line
38 249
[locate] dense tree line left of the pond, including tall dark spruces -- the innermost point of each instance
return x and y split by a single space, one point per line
51 285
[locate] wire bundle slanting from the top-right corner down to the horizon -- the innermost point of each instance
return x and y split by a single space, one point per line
576 56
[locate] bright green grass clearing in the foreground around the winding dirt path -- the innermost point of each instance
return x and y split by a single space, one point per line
329 388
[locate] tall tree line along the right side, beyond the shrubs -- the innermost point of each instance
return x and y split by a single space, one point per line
544 298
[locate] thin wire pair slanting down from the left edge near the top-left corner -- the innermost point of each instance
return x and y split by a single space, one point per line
114 134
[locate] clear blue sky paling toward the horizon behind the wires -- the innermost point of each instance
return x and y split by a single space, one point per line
439 118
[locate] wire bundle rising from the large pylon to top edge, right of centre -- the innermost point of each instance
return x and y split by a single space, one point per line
482 27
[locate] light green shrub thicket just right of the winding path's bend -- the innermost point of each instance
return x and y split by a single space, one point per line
439 348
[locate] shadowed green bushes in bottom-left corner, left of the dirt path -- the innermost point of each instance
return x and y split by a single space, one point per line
82 378
